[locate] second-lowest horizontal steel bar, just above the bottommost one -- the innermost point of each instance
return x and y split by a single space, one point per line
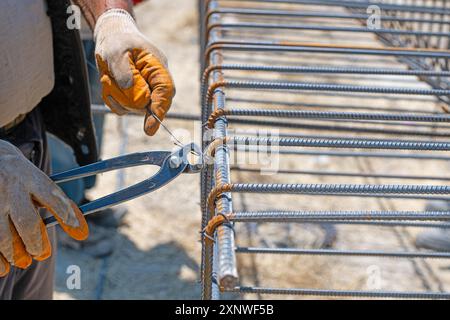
356 253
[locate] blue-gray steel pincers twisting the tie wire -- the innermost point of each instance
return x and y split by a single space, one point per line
172 165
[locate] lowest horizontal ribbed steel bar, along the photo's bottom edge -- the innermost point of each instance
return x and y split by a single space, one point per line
342 293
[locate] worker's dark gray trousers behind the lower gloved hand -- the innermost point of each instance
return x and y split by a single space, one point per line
36 282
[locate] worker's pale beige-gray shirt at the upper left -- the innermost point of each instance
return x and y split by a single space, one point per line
26 57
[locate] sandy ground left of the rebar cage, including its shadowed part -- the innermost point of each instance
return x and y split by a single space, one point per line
157 252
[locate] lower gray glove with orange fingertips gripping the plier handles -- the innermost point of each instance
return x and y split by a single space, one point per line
24 189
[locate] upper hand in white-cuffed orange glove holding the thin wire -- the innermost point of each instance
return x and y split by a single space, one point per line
134 73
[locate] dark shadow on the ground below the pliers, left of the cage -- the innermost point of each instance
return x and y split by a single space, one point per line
165 271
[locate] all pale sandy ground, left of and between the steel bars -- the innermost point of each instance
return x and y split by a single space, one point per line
157 252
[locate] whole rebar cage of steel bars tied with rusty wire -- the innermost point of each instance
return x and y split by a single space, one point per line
351 98
